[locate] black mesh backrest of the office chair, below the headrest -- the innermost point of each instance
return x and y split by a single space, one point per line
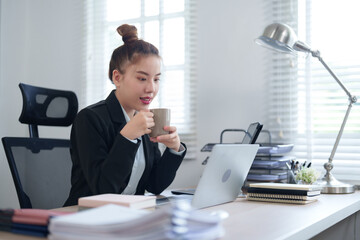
41 170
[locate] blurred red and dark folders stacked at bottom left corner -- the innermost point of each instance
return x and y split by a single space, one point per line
33 222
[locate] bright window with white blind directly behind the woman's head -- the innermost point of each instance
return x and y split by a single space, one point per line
171 27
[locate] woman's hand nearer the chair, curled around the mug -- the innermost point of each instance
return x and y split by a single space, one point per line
139 125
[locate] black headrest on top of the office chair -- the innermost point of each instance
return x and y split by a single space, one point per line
49 107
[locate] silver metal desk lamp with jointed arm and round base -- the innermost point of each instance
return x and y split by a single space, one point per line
282 38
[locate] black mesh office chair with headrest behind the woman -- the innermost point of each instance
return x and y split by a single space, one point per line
41 167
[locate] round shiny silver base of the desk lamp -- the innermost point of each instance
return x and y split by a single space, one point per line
333 186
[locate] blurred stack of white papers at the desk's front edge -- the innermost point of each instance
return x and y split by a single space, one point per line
118 222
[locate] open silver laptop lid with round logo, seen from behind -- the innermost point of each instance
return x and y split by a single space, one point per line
224 174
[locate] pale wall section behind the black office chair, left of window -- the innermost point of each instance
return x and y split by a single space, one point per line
40 45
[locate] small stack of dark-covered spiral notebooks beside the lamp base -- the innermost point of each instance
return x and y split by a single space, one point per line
283 192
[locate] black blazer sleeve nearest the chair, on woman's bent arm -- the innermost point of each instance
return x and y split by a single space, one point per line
106 162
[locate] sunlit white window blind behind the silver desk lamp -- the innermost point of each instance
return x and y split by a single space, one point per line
306 106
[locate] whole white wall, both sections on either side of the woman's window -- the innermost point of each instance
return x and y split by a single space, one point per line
41 41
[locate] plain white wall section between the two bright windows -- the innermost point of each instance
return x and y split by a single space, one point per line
230 69
